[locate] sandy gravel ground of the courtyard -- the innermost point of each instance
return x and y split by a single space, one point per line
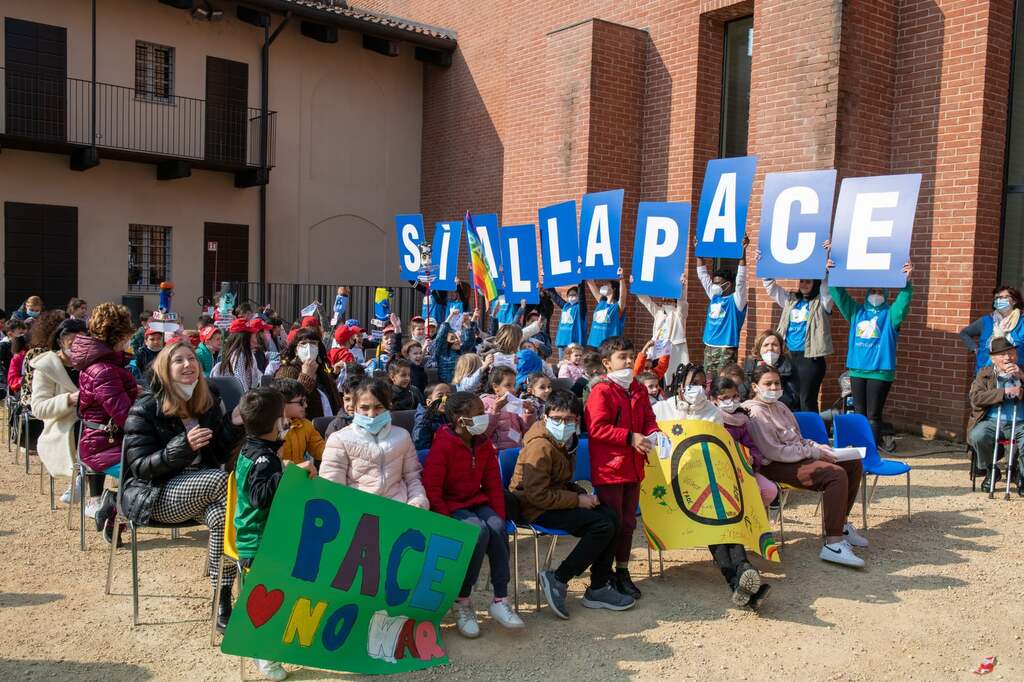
938 594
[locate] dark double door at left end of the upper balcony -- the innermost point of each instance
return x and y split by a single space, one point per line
36 79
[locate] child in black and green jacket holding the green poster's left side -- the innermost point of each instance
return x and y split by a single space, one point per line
258 475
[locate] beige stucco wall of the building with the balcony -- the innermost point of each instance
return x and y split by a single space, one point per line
348 154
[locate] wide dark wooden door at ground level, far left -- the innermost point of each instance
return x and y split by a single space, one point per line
40 253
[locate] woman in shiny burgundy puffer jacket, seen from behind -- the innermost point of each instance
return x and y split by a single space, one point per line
108 391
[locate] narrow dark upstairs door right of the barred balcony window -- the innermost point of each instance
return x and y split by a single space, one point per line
227 109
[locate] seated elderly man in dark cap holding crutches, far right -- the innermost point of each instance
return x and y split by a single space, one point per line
996 395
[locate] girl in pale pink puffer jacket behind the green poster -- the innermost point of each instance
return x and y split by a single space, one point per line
373 456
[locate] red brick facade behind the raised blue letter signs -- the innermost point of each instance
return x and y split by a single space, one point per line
547 101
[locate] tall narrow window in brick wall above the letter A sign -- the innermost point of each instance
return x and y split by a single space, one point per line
737 62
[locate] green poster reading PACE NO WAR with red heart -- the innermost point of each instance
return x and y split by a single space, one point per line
349 581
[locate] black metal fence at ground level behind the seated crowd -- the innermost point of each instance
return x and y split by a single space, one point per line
289 300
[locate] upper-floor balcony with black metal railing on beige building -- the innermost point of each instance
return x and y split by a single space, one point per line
48 114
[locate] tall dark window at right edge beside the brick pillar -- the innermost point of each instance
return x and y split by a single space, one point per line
1012 271
